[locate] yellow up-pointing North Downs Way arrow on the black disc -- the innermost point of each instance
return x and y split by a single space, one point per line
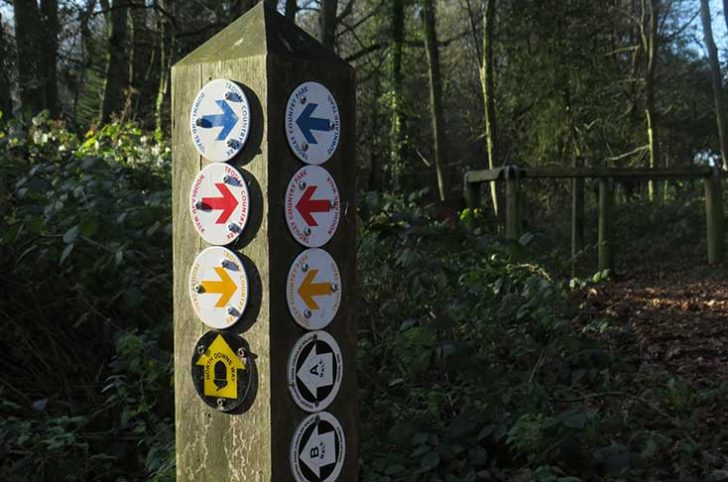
221 369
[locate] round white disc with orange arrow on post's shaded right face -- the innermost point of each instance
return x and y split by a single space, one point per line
313 289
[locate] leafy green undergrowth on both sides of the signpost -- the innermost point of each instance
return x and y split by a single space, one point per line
473 362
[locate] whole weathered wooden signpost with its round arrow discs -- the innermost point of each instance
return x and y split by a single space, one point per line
264 257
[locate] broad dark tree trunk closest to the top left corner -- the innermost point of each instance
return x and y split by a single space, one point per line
28 46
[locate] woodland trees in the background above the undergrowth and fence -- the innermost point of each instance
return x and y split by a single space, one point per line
621 82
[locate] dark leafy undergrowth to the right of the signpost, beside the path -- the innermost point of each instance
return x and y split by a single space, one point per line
474 364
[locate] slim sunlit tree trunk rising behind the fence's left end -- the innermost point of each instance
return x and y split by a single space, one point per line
488 85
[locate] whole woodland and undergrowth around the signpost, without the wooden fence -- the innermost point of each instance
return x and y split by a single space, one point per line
479 358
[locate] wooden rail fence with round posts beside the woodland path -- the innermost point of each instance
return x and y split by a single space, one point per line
513 175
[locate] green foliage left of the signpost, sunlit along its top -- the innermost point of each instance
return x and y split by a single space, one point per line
85 251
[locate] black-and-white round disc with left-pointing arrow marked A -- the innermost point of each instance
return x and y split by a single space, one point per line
314 371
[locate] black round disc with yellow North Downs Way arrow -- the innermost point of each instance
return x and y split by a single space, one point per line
221 370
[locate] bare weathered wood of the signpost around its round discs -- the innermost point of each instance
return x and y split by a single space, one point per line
269 57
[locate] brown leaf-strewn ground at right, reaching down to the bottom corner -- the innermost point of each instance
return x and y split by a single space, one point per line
677 312
